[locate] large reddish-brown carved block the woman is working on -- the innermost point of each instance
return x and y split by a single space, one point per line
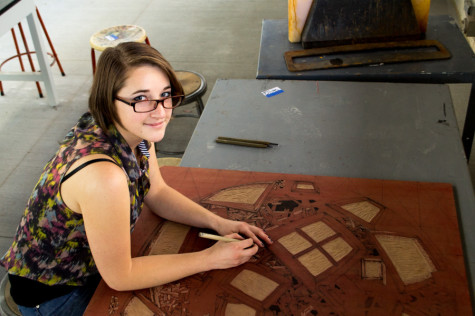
342 246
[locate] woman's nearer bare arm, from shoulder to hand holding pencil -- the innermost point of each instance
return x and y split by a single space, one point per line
101 194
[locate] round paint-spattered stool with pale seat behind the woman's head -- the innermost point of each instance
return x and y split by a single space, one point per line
112 36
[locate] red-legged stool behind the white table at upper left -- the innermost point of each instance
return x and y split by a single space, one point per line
28 53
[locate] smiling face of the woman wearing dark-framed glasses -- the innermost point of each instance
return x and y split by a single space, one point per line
143 82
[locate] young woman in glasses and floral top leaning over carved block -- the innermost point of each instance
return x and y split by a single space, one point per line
79 217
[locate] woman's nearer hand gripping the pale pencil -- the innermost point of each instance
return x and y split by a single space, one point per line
224 255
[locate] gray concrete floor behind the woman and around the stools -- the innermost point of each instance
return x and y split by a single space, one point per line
217 38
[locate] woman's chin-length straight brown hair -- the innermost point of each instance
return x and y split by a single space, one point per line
111 73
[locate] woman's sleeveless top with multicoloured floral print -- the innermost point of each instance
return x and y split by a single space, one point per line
50 245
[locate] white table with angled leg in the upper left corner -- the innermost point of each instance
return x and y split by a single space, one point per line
13 12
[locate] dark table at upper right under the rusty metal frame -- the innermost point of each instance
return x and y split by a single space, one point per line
460 68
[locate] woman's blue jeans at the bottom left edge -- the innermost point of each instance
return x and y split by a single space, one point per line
71 304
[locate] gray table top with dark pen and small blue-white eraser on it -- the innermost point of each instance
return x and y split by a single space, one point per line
345 129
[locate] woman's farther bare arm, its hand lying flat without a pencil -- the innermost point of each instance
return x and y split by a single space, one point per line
166 202
